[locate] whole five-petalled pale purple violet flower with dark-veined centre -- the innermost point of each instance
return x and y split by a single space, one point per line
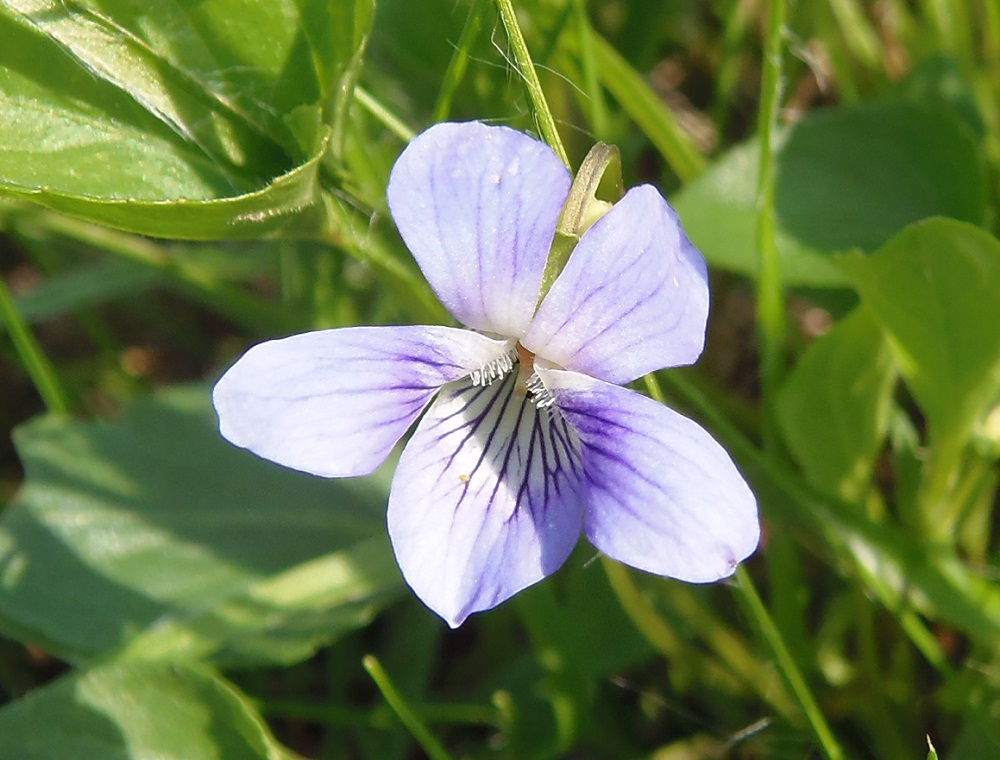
526 436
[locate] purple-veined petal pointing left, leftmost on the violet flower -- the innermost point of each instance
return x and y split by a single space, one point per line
335 402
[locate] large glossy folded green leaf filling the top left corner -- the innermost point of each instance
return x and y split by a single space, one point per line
188 122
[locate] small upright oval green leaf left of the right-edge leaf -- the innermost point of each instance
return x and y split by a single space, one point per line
834 407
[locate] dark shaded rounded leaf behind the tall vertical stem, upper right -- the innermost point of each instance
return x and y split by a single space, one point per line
846 178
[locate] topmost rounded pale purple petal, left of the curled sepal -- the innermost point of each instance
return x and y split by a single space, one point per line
478 207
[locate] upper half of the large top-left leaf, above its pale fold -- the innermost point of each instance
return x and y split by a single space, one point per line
212 72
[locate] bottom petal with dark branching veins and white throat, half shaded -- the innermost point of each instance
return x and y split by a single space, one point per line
485 500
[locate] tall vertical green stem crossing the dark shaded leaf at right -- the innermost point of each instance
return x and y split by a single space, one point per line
771 319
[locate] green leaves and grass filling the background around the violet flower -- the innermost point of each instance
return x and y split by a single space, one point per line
181 180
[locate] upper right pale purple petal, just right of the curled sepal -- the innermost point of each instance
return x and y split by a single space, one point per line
633 297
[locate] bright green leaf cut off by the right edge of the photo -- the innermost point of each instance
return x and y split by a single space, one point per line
935 289
